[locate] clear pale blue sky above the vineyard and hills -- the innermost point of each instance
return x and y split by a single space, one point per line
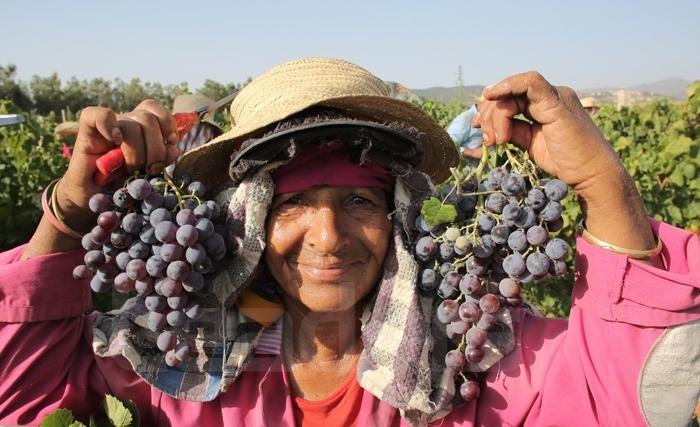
582 44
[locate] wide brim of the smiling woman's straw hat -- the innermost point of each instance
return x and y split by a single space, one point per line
210 162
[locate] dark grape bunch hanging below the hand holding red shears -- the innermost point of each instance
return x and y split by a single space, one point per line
156 238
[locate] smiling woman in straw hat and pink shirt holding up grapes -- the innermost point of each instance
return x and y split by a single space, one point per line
324 174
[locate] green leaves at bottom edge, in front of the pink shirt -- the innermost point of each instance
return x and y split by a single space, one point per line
113 413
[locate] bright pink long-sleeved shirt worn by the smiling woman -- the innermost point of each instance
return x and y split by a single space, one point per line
580 372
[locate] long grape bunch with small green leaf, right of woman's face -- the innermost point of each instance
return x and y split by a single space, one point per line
500 238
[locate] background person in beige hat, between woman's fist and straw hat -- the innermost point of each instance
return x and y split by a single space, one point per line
205 130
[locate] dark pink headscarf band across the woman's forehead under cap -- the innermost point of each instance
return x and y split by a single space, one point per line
331 166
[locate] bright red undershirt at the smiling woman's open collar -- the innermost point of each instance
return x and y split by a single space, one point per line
338 409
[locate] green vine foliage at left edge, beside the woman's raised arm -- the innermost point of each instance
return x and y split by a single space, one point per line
30 158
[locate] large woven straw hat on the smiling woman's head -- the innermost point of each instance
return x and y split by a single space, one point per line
294 86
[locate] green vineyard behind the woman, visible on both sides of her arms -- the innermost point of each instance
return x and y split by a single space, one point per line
657 142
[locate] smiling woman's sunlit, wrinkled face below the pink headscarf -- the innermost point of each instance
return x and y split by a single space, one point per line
326 245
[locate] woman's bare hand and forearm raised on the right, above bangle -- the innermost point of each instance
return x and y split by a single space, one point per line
563 140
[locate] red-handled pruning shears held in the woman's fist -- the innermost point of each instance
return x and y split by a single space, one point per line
110 164
